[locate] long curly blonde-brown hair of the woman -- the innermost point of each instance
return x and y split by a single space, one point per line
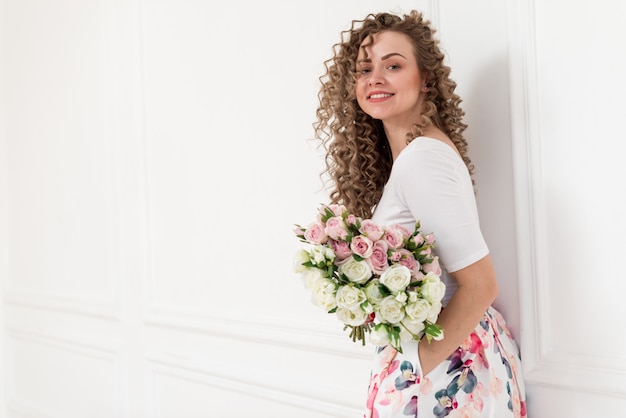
358 158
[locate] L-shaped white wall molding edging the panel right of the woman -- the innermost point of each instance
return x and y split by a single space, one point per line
542 365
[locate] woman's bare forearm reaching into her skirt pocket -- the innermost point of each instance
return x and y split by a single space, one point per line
477 289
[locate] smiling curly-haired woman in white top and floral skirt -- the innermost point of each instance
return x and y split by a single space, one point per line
392 128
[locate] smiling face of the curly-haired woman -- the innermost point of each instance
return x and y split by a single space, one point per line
389 83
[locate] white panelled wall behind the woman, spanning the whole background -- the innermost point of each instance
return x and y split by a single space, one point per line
154 156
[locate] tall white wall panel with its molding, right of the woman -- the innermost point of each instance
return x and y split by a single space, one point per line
569 193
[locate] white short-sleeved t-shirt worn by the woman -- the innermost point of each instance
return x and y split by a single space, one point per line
429 182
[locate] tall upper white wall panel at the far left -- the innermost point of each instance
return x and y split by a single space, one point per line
61 254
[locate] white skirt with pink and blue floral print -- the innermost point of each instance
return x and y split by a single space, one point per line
482 378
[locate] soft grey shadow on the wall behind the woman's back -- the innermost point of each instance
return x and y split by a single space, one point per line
489 134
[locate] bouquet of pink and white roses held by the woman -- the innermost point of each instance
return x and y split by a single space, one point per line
379 280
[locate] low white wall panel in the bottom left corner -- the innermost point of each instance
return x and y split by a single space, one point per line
88 376
